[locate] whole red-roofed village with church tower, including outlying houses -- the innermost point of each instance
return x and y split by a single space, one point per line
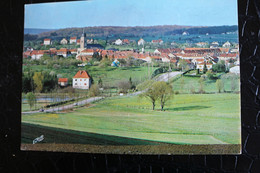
204 55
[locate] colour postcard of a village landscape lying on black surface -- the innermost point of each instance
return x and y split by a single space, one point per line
131 77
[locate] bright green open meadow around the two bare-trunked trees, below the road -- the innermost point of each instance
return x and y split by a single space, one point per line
187 119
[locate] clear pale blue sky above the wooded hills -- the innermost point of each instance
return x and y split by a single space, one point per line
131 13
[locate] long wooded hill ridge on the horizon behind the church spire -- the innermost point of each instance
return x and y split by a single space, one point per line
137 31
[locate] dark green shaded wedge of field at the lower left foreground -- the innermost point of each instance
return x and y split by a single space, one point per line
63 136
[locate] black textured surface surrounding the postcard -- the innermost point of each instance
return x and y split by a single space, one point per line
13 160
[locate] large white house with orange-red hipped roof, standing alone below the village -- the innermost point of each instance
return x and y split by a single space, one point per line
81 80
